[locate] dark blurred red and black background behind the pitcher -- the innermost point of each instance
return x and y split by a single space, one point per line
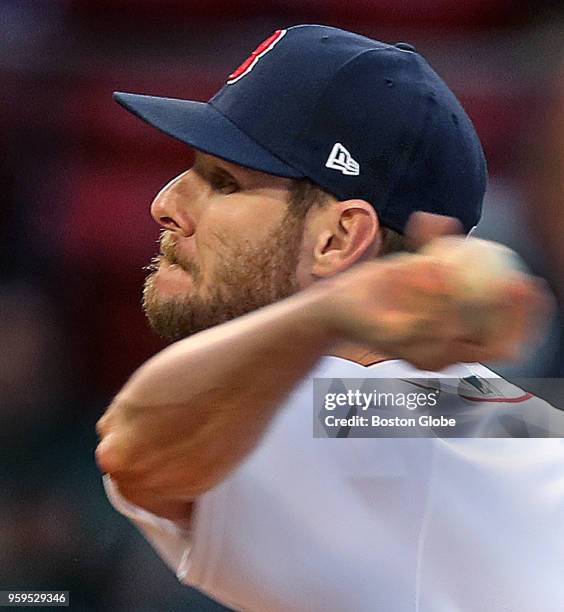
77 175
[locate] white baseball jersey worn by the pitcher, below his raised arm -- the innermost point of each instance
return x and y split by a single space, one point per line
364 525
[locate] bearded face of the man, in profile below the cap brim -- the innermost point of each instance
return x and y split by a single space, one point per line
230 245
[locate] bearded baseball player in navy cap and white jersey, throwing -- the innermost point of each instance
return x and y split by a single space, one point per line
322 153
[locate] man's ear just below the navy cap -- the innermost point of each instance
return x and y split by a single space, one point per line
346 232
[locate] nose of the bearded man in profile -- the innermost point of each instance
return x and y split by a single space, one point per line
170 208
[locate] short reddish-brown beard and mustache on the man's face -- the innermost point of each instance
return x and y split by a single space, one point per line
244 278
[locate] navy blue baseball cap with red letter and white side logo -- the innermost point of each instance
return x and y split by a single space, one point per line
359 118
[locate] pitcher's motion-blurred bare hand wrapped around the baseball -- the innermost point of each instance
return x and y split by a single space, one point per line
407 307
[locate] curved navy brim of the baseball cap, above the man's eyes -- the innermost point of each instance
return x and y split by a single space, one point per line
203 127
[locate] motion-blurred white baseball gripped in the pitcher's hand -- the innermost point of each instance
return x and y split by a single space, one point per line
480 267
